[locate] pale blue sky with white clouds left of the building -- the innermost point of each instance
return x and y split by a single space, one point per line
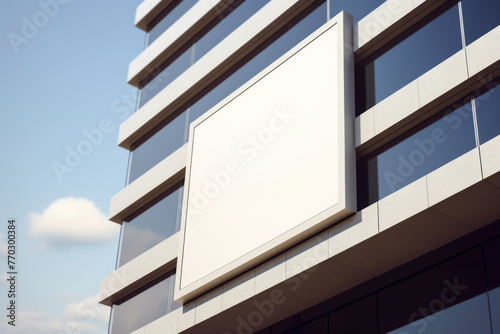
63 95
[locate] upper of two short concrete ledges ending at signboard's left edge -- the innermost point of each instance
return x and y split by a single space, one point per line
149 185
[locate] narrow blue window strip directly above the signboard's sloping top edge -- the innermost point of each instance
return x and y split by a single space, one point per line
264 58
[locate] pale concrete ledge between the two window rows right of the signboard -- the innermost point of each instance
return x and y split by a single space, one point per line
433 91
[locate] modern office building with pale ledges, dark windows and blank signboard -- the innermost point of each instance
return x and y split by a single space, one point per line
311 166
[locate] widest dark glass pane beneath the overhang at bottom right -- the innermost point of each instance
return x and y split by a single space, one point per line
449 298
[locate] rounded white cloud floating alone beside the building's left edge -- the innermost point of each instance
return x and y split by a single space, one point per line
70 221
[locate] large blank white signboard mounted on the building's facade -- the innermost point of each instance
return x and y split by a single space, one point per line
266 165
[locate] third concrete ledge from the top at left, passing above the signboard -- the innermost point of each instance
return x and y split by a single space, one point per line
214 64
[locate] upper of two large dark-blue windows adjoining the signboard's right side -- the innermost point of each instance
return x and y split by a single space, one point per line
395 66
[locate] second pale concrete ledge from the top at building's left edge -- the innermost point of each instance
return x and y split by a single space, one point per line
170 41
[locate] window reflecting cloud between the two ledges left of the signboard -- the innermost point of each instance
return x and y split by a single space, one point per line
151 226
